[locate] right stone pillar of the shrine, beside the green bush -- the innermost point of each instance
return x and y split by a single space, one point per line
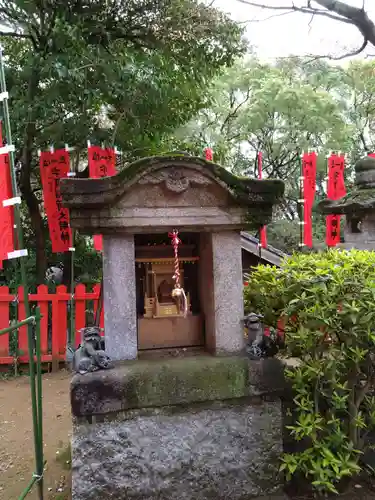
228 292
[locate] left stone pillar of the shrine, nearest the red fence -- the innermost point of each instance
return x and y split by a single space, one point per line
120 311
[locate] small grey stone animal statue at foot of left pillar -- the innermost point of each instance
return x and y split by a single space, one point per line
90 355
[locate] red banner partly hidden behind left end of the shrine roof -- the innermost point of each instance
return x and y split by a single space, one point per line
102 163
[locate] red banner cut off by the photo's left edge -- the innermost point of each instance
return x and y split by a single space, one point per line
6 213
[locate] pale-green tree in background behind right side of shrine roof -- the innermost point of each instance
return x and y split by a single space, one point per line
280 110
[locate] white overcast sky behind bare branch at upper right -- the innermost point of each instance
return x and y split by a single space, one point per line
292 34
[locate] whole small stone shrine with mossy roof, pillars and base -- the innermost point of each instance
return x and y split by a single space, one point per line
153 427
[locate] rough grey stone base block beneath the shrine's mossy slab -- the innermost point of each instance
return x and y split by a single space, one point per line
227 452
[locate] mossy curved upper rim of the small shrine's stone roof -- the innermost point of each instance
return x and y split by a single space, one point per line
97 194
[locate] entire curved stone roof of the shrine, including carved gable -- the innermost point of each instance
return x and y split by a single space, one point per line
145 196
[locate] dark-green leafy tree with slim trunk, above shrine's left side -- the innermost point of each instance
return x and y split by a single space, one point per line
113 71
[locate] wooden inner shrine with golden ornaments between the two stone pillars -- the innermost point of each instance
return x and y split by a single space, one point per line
160 323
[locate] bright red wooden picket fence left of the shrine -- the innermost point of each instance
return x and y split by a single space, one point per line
54 324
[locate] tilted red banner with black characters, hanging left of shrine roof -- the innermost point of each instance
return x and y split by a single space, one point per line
53 167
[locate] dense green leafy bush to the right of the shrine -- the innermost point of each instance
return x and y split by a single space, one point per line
327 302
